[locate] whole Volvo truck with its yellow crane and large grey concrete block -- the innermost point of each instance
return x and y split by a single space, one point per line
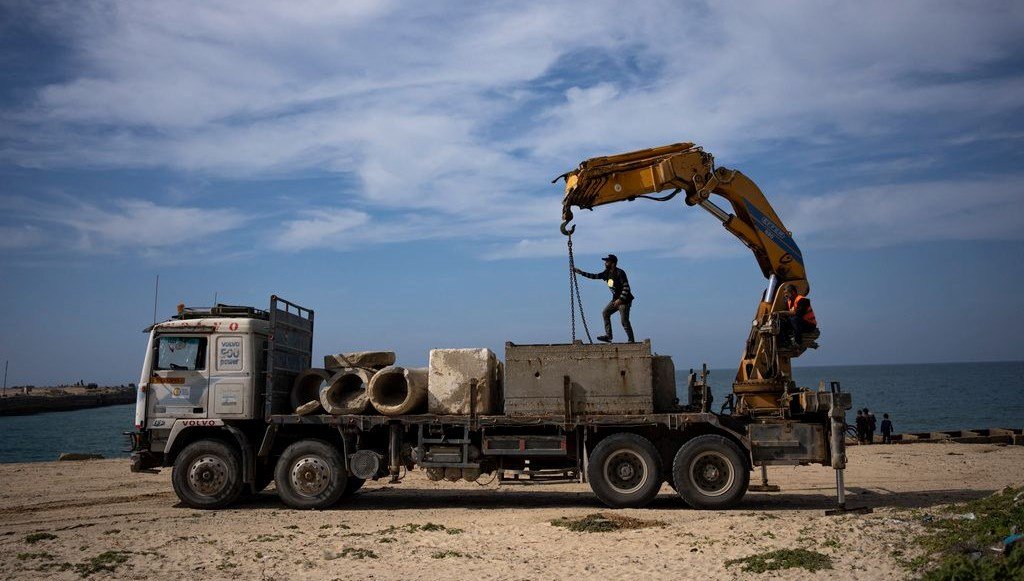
218 404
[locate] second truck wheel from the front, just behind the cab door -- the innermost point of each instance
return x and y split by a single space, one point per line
311 475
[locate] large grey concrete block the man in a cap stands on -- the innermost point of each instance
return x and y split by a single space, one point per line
615 379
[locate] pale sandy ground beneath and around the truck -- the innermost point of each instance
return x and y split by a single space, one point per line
489 532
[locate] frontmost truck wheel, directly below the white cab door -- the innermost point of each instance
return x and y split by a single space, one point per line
207 475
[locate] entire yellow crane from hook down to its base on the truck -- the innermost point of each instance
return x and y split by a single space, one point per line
765 372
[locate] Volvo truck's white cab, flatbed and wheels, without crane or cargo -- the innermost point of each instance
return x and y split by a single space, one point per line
203 418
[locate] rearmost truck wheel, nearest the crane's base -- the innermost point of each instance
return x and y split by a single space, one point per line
710 473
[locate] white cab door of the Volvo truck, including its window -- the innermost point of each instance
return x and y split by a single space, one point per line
181 378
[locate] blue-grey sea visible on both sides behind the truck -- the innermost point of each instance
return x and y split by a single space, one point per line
918 398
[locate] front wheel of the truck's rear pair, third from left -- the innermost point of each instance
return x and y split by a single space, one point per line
625 471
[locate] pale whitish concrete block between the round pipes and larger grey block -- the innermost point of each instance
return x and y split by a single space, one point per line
452 372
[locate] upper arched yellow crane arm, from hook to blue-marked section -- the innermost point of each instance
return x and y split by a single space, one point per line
689 169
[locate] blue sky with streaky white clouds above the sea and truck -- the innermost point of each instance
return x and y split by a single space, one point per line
390 165
